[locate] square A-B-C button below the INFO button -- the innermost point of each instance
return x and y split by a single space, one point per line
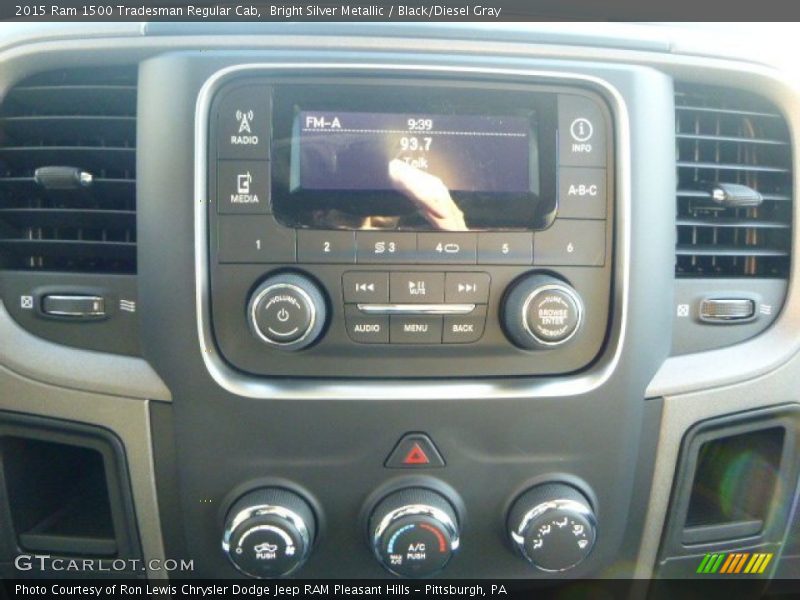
581 193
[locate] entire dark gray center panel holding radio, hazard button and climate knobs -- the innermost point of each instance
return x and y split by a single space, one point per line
308 454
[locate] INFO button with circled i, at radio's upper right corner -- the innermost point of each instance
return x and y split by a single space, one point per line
581 128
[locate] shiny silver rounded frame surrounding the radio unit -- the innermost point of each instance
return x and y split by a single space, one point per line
254 387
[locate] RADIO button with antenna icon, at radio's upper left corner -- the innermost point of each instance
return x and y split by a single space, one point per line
243 123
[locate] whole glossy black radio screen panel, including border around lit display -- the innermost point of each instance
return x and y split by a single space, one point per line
412 157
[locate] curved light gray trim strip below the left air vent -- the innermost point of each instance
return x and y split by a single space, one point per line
47 362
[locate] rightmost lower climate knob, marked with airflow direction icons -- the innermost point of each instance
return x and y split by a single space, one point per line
553 527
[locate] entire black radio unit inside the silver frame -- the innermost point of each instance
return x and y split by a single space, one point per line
408 227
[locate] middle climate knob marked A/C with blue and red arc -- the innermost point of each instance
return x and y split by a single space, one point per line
414 532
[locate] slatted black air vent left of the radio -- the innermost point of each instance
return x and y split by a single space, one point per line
82 121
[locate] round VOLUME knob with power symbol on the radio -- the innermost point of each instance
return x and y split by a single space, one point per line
287 311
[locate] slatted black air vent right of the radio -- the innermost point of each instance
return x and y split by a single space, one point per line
734 199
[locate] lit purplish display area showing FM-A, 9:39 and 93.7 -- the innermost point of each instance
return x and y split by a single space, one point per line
339 150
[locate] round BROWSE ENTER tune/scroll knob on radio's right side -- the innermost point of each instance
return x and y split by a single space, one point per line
541 311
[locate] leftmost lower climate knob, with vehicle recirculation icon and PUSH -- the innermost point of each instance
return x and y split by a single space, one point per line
269 533
